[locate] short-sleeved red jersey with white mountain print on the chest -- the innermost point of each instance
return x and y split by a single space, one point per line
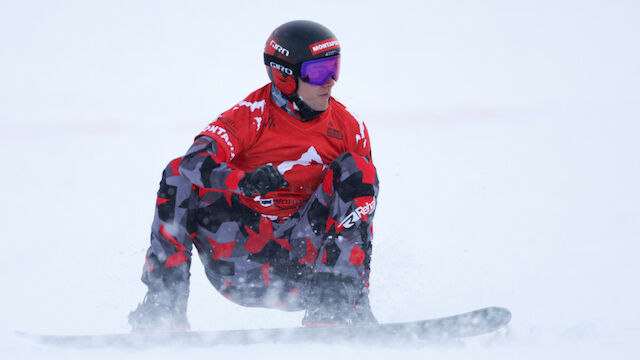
257 132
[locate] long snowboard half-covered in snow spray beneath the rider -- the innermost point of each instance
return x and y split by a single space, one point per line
478 322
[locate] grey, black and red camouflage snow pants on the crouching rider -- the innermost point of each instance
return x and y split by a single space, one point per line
252 260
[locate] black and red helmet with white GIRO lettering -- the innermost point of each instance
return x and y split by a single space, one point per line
293 43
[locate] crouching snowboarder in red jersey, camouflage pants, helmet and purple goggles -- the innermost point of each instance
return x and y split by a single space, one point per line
277 194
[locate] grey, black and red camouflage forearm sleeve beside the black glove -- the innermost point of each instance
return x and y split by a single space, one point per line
205 165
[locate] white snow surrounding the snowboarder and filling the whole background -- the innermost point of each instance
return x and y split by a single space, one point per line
505 134
